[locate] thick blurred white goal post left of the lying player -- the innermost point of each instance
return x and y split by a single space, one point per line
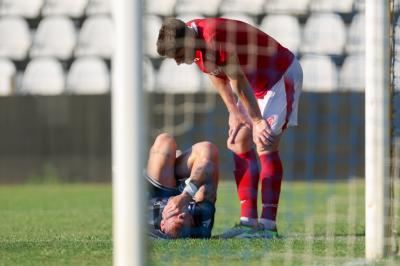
128 143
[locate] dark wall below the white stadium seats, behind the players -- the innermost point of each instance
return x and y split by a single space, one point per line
68 137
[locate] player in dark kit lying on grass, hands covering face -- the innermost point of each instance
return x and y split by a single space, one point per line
182 189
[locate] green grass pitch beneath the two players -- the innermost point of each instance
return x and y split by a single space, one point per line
320 223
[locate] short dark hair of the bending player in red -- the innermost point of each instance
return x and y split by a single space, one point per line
171 37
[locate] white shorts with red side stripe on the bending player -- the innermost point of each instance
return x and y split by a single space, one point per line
279 106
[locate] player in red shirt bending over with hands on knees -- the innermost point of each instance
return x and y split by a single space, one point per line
267 79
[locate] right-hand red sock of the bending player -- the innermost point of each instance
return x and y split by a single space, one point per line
271 178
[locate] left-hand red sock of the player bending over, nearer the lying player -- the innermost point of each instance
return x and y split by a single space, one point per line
246 176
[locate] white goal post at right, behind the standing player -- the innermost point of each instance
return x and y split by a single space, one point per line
377 129
